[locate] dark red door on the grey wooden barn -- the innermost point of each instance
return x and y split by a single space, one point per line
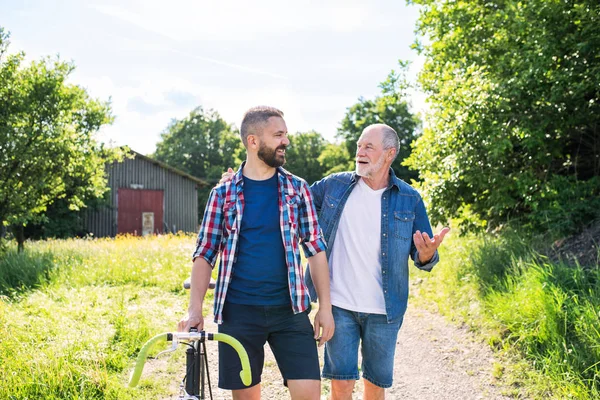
140 211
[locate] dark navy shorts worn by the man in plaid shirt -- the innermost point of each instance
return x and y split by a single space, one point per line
290 336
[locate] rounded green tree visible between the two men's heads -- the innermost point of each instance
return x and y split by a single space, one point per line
302 156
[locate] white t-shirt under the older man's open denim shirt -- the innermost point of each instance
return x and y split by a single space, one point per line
355 263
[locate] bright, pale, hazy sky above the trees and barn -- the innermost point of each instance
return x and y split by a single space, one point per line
156 60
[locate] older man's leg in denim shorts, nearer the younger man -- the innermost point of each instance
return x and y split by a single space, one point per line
341 354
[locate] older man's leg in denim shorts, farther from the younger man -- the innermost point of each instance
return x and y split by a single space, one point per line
378 348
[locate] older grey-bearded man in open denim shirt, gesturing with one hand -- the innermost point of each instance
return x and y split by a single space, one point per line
372 222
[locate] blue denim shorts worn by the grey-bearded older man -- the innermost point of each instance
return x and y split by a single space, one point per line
378 347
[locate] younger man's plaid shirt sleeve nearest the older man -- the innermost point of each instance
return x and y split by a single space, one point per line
309 230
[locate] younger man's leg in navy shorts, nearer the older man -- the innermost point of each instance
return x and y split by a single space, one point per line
292 341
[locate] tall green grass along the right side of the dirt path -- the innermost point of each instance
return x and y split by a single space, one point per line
544 313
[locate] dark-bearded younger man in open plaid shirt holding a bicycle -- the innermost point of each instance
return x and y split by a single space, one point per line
256 222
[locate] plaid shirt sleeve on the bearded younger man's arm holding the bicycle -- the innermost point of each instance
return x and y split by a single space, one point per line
208 243
